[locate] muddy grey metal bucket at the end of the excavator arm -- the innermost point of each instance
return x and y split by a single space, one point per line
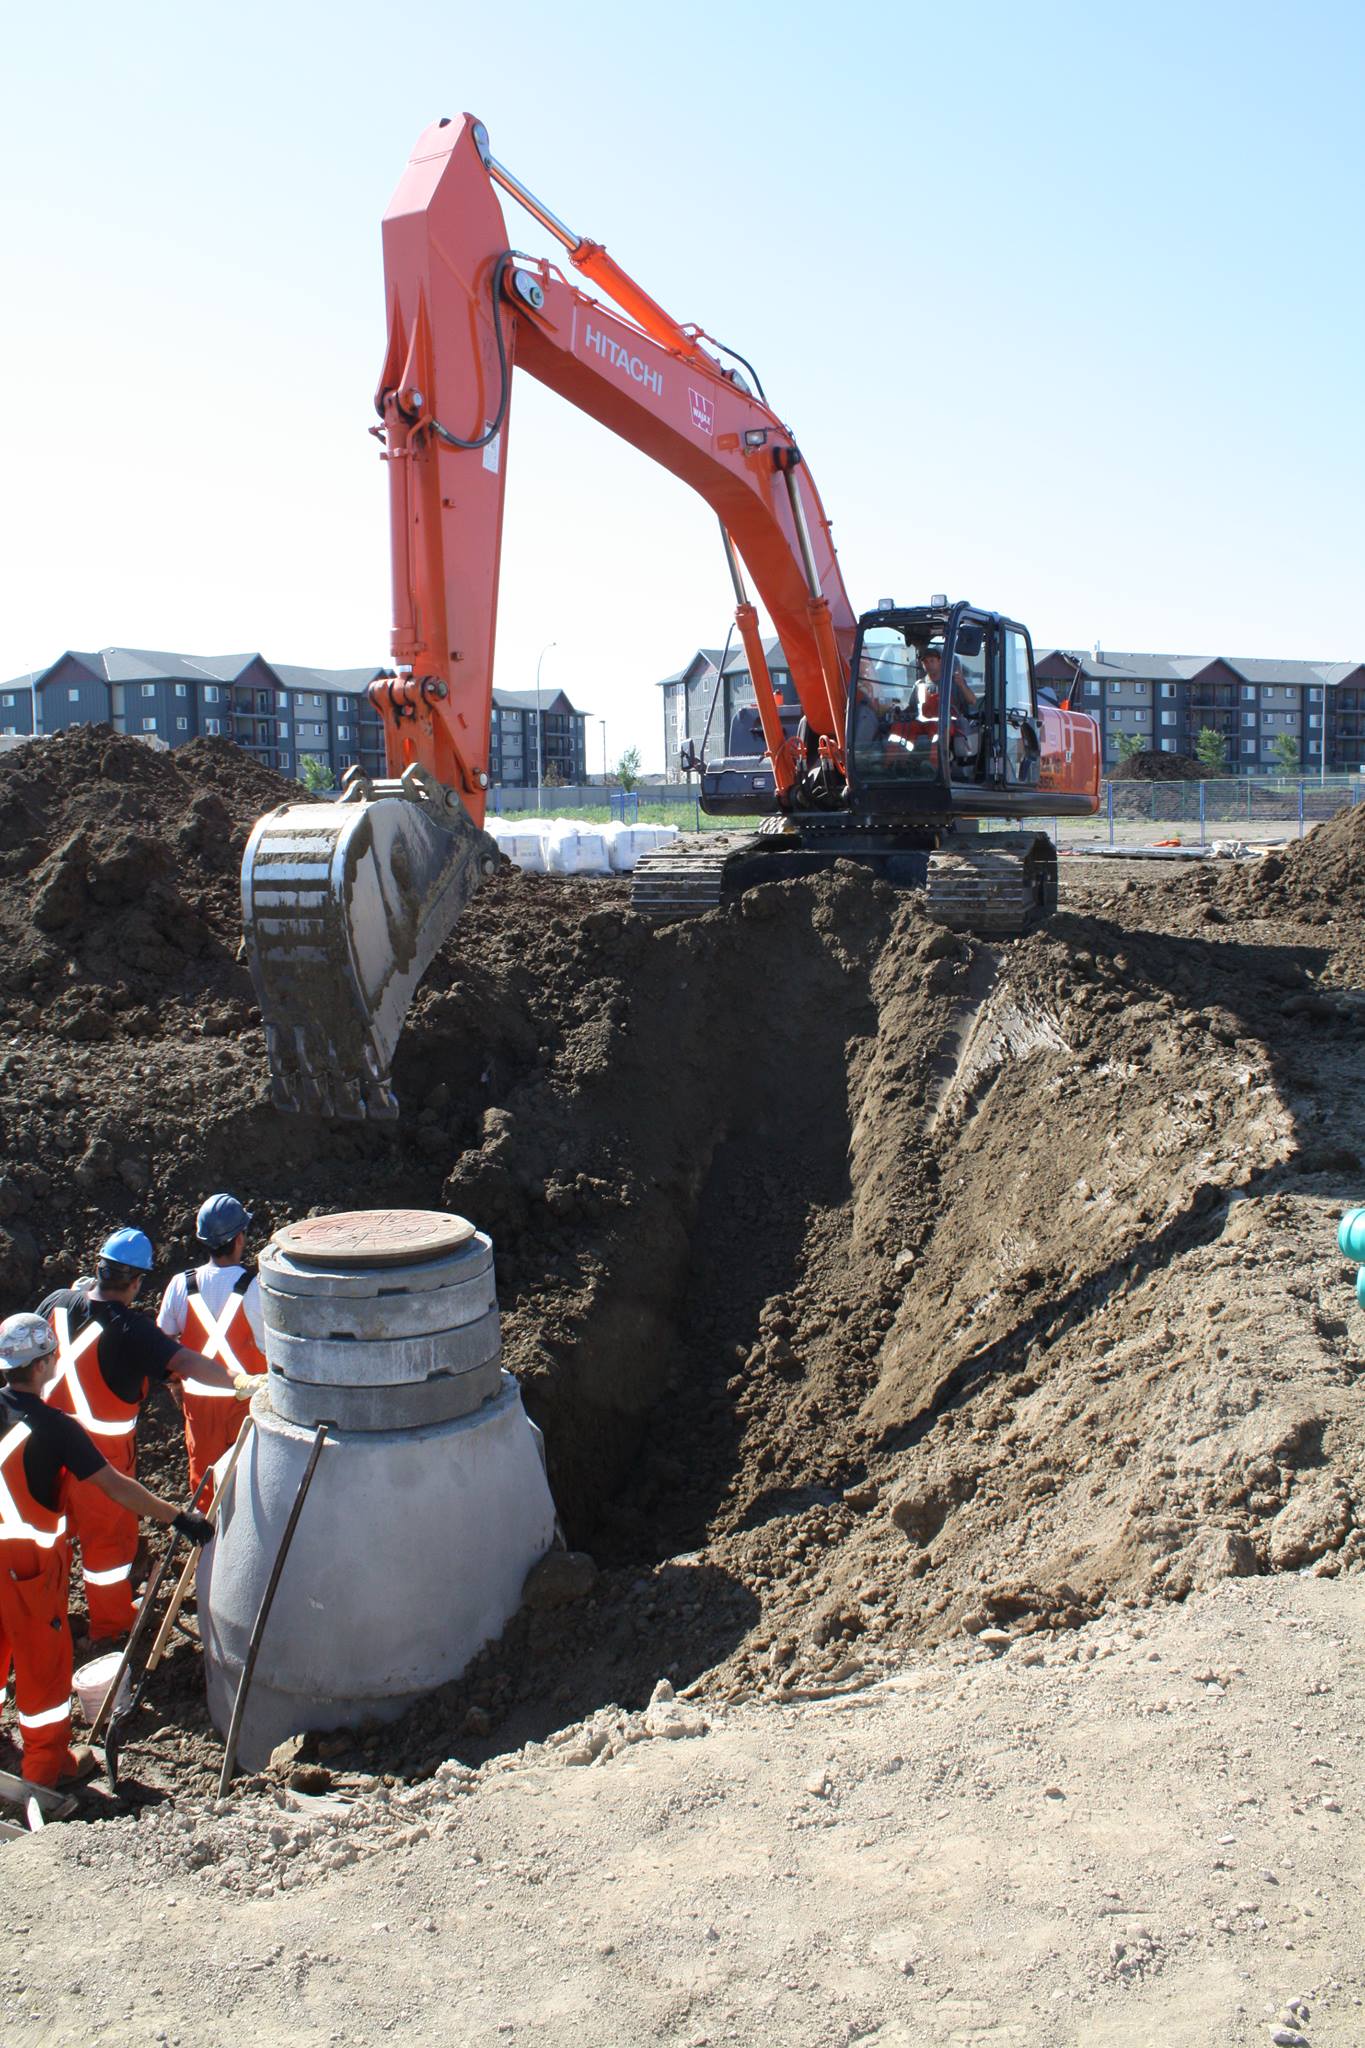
345 908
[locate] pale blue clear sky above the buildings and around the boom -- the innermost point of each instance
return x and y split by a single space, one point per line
1063 302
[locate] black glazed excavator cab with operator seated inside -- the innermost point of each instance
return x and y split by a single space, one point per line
942 714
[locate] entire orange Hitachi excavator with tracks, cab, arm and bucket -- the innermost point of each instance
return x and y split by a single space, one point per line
912 724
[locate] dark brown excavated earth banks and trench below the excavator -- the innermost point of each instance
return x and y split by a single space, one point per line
871 1285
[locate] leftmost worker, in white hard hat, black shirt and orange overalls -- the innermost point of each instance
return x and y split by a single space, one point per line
42 1457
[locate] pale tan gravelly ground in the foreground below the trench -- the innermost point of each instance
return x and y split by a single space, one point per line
1149 1830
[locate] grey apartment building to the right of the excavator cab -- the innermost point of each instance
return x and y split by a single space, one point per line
1251 703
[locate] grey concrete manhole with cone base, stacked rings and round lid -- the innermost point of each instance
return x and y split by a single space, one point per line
429 1504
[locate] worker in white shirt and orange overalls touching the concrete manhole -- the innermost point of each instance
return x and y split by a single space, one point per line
216 1310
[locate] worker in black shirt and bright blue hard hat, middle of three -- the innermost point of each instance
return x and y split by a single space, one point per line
107 1359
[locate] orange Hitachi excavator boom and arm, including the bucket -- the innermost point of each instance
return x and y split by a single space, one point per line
347 904
